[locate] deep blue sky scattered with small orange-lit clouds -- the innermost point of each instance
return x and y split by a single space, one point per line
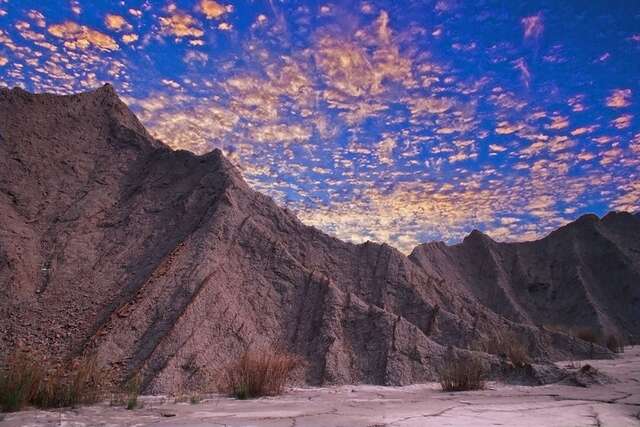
393 121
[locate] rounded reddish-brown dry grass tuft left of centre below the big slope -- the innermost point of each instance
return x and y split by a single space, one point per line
257 373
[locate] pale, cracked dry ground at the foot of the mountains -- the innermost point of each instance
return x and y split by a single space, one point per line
615 405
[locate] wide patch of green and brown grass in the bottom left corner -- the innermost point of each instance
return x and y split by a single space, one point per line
28 380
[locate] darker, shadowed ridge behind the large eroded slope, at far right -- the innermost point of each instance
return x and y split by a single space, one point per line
583 275
